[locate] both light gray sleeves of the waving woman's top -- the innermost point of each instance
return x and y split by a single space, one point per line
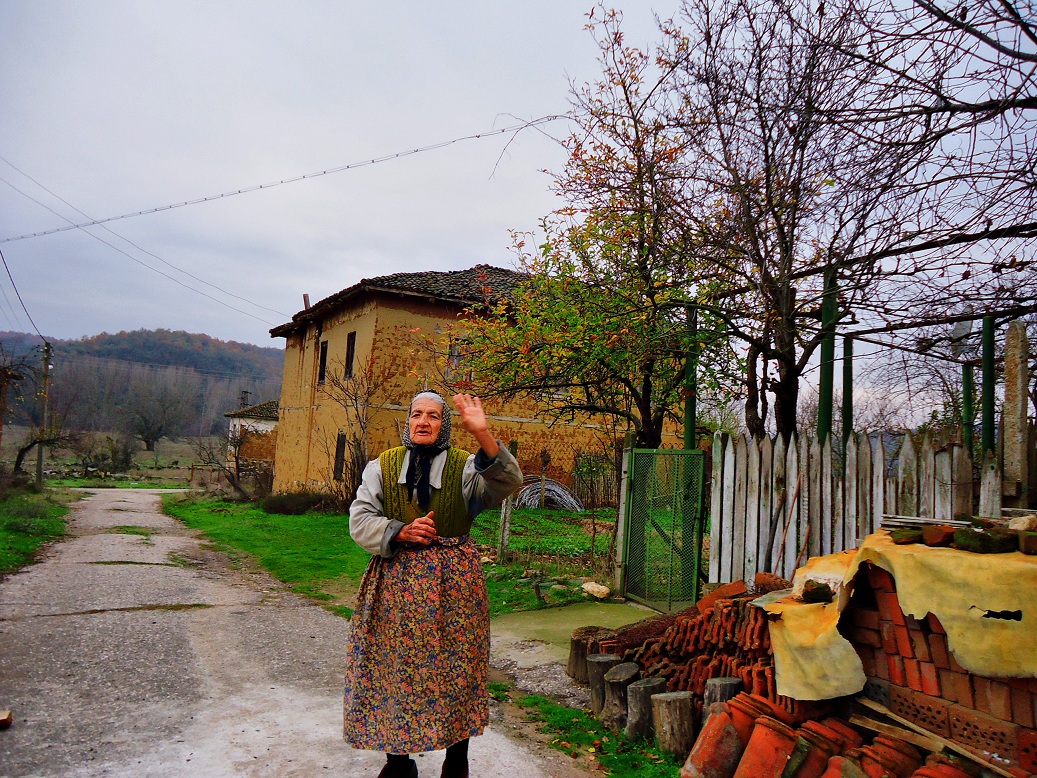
486 483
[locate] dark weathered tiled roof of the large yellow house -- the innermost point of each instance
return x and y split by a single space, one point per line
463 287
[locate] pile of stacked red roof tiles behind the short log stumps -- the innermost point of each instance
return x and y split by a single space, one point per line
723 636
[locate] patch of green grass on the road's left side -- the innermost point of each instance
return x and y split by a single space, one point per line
29 520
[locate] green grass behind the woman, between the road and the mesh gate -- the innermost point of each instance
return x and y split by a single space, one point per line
316 557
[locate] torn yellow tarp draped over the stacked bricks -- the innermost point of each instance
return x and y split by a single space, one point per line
966 592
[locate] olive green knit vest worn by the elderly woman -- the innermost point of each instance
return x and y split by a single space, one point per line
447 505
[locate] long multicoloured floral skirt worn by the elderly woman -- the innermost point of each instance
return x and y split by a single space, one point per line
418 654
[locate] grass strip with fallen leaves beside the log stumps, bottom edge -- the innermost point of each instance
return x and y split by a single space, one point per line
582 737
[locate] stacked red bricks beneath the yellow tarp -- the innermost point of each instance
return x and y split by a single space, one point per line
912 672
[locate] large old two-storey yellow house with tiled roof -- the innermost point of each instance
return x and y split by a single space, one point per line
353 362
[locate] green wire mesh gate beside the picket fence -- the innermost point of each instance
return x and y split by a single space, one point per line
663 542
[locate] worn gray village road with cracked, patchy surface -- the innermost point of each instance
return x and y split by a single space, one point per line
125 654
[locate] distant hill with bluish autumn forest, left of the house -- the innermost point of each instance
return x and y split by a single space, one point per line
167 348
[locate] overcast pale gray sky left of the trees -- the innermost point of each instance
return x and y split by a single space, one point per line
120 107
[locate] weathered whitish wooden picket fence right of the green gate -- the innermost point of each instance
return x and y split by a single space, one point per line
774 506
